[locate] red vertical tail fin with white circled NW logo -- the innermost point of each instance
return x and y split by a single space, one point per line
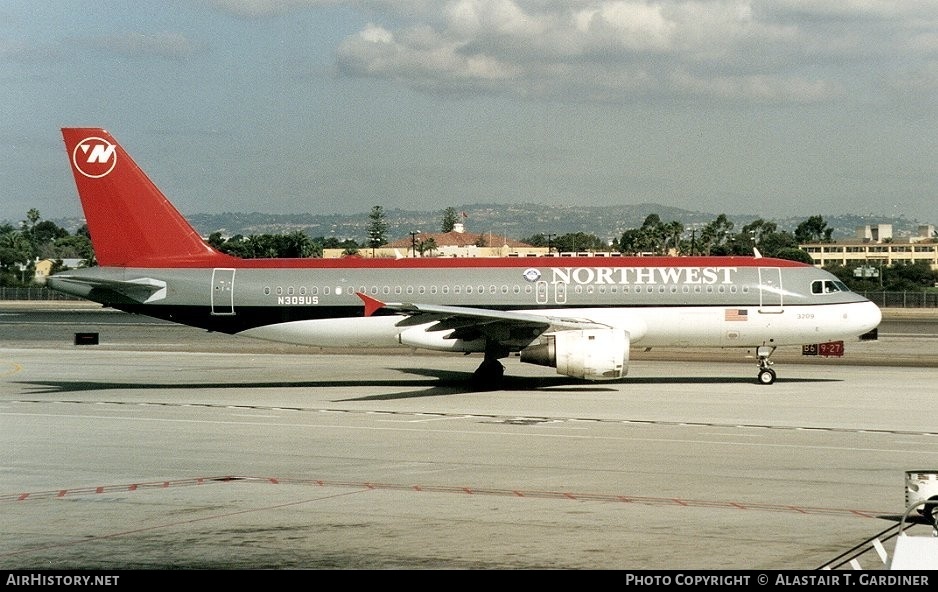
131 222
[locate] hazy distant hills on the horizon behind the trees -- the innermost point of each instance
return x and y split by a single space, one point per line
517 221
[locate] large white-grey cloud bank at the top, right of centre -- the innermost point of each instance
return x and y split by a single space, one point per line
629 48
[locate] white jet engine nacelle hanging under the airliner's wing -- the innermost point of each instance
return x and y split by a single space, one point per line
590 354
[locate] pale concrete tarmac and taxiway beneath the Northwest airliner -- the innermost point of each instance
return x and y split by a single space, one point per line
165 447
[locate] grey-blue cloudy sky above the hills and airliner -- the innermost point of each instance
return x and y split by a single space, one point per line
777 108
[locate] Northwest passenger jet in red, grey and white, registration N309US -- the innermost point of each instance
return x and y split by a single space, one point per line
580 315
